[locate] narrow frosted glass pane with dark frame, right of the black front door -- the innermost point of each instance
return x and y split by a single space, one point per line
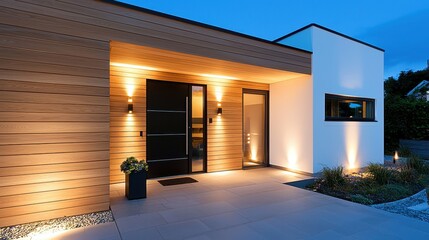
255 119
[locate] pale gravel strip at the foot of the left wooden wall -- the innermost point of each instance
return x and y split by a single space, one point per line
58 224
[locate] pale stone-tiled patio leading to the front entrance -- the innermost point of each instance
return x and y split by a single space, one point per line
245 204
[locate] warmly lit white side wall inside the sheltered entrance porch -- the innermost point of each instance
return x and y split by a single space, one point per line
291 124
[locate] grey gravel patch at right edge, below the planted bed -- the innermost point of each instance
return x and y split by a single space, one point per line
402 206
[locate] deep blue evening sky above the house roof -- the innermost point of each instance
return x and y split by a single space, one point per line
401 27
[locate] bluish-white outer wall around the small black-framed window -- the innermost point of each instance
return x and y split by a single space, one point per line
345 67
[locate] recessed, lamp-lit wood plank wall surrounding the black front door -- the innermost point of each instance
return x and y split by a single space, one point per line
224 135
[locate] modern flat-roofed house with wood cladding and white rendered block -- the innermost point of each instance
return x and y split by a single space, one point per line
85 85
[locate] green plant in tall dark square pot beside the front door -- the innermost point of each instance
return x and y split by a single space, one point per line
135 177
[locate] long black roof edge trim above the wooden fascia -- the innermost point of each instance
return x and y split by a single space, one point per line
200 24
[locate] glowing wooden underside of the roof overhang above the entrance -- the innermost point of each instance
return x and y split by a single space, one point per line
155 59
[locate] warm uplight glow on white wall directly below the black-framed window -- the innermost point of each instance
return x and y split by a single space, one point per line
352 144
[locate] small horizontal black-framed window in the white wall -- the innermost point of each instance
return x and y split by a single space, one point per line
345 108
